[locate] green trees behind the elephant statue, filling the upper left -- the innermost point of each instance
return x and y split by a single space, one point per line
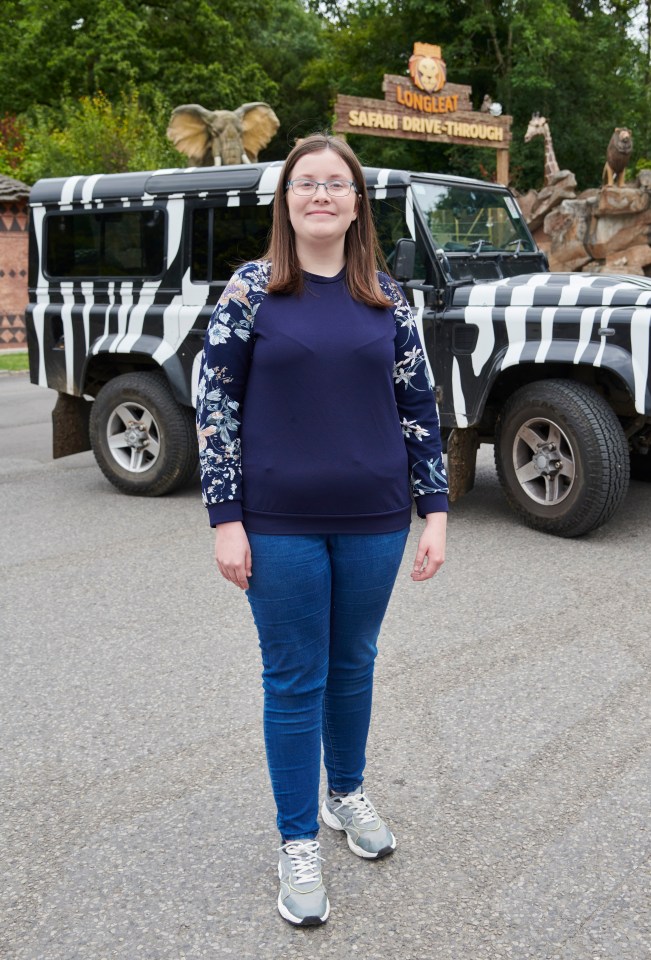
55 59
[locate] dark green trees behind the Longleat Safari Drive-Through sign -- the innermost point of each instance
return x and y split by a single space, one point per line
576 61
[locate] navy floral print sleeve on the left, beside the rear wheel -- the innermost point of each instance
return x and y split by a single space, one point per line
222 381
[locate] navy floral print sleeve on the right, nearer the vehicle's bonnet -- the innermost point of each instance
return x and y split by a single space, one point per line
416 404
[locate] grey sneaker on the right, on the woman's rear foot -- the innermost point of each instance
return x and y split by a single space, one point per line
368 835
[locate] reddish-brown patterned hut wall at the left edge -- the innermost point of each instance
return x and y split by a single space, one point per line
13 272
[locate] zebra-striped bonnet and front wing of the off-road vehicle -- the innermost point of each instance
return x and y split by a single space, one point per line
553 317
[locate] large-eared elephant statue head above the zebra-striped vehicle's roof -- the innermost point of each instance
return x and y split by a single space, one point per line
219 137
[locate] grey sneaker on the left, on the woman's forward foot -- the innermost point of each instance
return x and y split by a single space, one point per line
302 899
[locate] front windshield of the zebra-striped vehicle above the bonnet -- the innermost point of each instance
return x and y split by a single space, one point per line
470 219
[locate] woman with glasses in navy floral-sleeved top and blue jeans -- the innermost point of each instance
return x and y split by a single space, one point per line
316 418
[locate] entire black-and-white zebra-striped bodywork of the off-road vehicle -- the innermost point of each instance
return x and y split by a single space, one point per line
534 319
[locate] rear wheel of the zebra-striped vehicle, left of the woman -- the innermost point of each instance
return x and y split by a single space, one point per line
144 442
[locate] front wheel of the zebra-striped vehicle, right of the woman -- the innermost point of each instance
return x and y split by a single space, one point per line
561 457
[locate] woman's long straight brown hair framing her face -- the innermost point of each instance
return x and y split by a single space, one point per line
361 247
